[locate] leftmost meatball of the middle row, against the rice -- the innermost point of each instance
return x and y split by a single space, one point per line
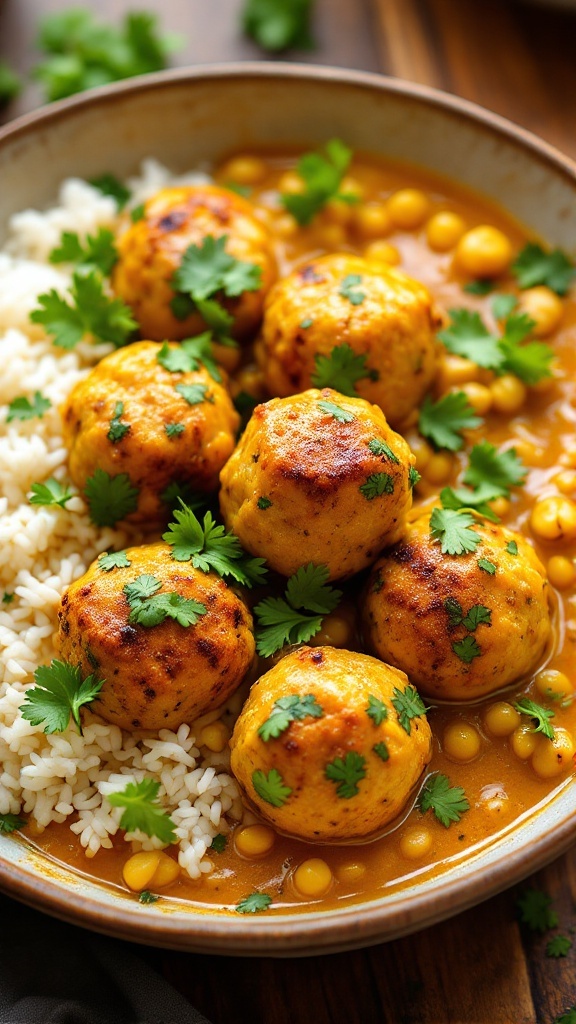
131 415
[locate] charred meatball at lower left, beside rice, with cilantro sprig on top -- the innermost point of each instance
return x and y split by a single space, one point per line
157 676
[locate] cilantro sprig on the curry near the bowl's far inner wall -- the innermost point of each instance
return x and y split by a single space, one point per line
322 177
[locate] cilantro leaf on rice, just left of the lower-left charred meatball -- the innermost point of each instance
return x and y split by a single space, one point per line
60 693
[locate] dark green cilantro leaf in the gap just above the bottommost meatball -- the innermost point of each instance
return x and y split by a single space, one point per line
297 617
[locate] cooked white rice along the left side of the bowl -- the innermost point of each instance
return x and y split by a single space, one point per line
67 777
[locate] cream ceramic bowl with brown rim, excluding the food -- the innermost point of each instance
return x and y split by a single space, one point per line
190 117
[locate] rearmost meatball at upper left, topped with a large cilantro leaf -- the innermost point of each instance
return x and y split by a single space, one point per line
229 273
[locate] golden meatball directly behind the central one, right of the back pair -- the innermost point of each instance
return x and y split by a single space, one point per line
379 313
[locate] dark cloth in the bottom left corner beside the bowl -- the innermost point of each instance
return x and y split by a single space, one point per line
52 973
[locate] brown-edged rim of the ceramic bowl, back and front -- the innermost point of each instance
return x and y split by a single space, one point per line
355 925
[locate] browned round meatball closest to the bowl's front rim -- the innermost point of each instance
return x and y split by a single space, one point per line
322 749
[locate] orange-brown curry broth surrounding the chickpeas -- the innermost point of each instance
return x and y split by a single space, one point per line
500 787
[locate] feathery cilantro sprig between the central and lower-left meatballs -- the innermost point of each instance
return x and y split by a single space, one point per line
209 546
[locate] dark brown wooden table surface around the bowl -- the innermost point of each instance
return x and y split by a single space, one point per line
479 968
